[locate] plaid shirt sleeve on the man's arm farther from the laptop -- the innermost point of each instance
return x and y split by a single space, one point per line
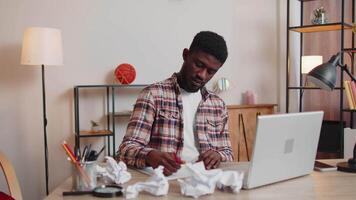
134 147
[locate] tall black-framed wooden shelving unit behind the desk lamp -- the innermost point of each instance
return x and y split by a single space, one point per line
343 25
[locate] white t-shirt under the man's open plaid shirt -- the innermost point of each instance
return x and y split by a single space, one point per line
191 102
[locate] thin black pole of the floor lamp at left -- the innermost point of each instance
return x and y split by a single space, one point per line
45 126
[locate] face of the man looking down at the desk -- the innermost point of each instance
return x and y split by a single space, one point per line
198 68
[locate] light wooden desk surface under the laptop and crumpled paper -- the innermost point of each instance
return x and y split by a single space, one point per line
318 185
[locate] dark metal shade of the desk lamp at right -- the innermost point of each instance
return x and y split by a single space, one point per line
324 75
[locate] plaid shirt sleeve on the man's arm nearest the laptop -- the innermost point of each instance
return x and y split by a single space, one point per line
225 149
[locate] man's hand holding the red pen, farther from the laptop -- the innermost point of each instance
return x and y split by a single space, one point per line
156 158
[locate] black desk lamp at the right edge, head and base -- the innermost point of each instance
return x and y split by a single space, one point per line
324 76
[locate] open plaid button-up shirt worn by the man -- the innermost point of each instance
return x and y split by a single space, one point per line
157 123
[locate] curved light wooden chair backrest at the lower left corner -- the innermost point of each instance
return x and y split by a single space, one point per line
11 178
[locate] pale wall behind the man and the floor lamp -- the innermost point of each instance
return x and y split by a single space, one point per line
99 35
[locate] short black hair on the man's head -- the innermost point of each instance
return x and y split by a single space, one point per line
211 43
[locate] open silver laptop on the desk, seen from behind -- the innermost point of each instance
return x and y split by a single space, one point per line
285 147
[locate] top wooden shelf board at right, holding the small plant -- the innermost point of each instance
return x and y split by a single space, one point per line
320 27
